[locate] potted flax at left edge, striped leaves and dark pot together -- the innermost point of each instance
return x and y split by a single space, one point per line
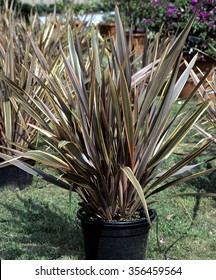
15 131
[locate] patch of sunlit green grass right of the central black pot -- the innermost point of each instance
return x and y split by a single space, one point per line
191 223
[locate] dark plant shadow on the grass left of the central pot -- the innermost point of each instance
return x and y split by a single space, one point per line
40 232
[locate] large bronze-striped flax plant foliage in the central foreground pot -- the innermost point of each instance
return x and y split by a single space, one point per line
107 130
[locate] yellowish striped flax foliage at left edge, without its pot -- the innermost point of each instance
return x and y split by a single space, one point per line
14 53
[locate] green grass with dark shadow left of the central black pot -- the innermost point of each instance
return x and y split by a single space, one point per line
39 223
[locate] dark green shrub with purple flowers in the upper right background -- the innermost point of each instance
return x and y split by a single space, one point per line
173 15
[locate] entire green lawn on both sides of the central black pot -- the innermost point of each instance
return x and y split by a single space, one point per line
39 223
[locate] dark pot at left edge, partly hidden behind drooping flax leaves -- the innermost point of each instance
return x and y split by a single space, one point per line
14 177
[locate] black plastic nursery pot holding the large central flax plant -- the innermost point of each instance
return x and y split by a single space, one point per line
111 240
